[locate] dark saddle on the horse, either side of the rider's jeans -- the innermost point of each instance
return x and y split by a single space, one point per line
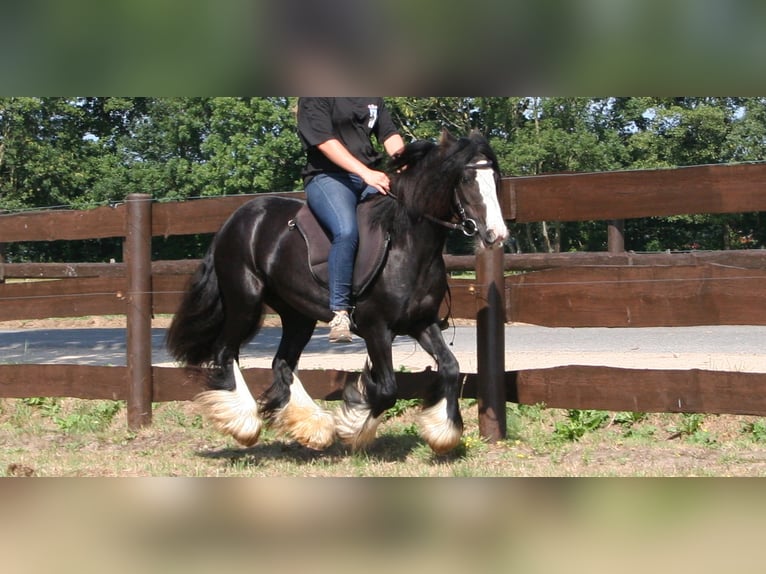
370 255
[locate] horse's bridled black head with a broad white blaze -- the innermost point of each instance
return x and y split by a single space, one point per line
477 178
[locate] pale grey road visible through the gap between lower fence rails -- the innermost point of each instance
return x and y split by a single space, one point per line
100 340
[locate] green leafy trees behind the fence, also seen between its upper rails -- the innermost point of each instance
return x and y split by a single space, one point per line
81 152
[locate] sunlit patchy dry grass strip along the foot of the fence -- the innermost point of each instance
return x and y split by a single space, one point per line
72 437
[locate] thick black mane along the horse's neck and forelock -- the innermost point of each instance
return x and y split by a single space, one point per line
423 176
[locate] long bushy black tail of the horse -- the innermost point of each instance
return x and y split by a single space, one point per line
199 319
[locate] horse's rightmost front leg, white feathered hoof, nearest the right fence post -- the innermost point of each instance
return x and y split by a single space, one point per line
440 421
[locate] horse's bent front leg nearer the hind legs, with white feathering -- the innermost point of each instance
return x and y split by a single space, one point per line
366 399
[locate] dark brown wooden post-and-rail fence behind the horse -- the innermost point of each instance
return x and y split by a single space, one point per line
567 289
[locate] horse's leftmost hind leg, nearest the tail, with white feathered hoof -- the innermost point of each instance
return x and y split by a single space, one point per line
229 405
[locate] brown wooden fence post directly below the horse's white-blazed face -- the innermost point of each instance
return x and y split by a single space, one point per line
490 344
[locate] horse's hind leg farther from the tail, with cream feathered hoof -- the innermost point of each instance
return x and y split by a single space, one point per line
286 404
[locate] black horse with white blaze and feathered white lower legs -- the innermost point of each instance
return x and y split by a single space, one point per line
257 258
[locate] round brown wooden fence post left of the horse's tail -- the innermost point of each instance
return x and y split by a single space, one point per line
138 262
